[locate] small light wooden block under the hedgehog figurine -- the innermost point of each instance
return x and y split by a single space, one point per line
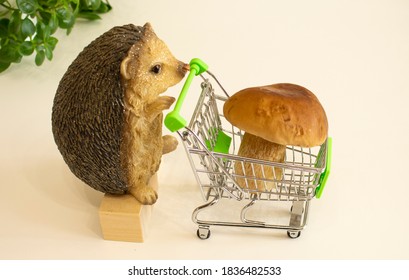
123 218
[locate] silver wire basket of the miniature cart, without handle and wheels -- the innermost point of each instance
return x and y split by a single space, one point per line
225 175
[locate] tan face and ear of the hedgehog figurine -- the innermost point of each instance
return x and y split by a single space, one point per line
150 68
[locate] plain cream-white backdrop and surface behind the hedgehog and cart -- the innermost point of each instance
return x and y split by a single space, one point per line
354 55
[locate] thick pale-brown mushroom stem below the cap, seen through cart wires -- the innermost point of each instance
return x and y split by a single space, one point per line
250 175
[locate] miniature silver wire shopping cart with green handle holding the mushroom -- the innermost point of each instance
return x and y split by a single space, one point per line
212 143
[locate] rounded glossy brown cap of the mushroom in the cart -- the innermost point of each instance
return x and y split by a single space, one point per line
285 114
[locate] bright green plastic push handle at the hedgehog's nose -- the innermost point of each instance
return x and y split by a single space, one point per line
173 120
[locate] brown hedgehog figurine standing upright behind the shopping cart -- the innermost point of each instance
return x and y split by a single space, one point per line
107 113
